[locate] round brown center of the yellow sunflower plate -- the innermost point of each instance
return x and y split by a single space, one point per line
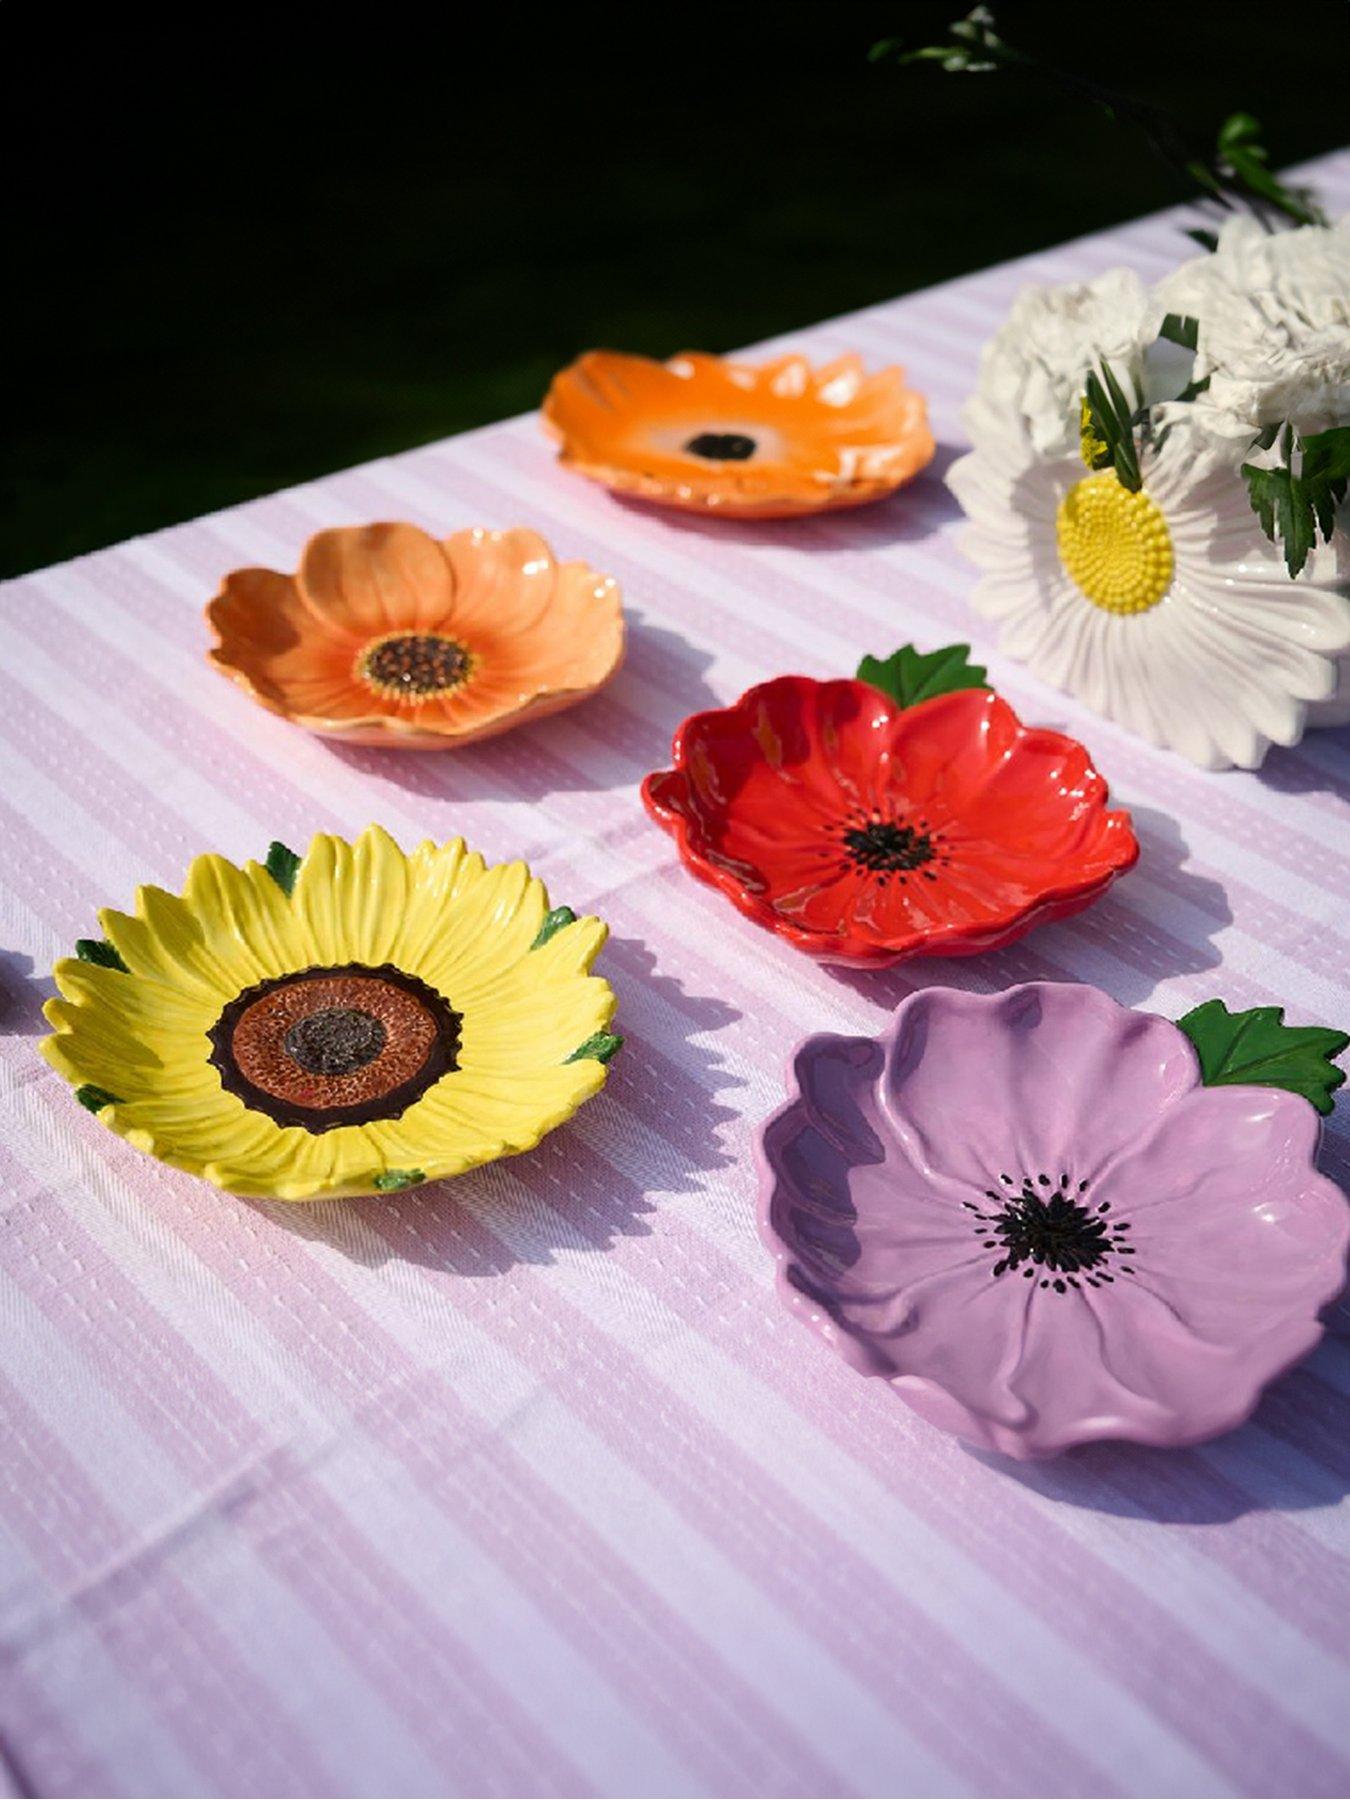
336 1047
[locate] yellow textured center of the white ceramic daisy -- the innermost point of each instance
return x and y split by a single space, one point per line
1115 544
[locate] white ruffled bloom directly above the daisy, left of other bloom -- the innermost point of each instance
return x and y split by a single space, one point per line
1032 372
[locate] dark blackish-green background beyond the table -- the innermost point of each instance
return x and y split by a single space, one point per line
247 253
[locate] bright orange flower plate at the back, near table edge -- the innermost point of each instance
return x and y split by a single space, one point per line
750 442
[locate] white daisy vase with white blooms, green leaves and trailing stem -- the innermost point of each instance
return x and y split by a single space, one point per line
1158 478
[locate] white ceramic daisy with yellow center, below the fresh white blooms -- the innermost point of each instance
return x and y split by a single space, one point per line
1167 611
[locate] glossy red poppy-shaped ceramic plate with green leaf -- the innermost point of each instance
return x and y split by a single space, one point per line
901 814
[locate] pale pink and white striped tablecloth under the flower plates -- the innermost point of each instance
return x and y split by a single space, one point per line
526 1486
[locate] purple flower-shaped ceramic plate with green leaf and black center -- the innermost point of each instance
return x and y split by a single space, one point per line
1047 1219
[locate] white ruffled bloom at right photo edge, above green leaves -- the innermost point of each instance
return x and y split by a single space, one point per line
1275 325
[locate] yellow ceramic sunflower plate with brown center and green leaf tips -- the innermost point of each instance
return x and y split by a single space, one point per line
350 1021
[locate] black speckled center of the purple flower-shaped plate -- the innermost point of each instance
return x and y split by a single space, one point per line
1056 1232
